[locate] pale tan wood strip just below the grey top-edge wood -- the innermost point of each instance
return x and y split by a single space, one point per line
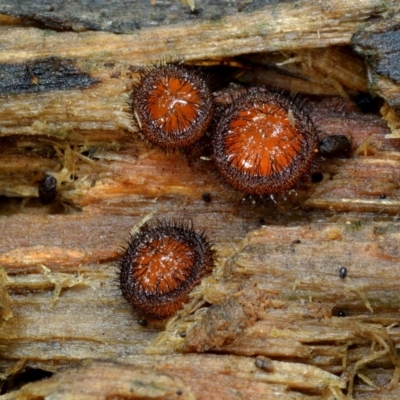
284 26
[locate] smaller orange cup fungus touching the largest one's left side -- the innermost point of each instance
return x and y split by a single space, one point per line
173 106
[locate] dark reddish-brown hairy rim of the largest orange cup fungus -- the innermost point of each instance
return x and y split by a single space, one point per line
275 182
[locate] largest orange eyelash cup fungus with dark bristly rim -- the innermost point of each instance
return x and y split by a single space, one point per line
263 143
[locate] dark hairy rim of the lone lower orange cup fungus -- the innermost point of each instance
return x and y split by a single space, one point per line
160 305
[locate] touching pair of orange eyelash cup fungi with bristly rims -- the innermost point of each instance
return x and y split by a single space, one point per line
262 143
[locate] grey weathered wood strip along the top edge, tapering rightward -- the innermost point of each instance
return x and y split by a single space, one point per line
124 17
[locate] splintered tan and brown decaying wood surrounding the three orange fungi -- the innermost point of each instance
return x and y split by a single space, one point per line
276 315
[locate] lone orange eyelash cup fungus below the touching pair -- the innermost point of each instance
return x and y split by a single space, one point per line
163 262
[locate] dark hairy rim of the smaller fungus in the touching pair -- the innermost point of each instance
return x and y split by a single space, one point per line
149 128
